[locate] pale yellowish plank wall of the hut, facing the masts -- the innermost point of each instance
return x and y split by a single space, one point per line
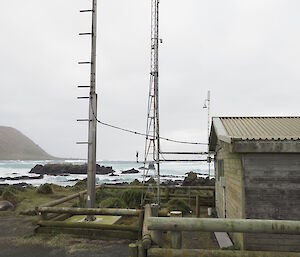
234 193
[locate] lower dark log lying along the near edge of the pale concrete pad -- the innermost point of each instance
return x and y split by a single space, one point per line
87 225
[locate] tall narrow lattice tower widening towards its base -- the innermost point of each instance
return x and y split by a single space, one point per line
152 145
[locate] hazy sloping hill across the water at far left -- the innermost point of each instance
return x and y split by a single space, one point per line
16 146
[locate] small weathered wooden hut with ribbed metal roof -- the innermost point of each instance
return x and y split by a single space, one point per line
257 167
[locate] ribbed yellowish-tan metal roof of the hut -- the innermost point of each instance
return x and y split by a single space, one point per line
262 128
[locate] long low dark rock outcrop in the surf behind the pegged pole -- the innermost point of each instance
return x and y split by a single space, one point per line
63 169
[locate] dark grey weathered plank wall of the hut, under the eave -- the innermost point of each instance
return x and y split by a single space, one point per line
272 191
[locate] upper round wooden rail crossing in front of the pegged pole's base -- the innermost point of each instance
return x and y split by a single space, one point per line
90 211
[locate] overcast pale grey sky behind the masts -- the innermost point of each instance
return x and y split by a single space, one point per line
247 52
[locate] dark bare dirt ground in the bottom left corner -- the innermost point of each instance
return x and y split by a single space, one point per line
17 240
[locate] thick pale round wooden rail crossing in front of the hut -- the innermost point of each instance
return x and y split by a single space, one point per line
225 225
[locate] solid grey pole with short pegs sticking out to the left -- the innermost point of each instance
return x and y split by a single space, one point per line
92 131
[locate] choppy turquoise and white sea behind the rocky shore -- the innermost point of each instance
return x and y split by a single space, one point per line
169 171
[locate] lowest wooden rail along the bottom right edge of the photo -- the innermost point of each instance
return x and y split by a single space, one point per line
165 252
